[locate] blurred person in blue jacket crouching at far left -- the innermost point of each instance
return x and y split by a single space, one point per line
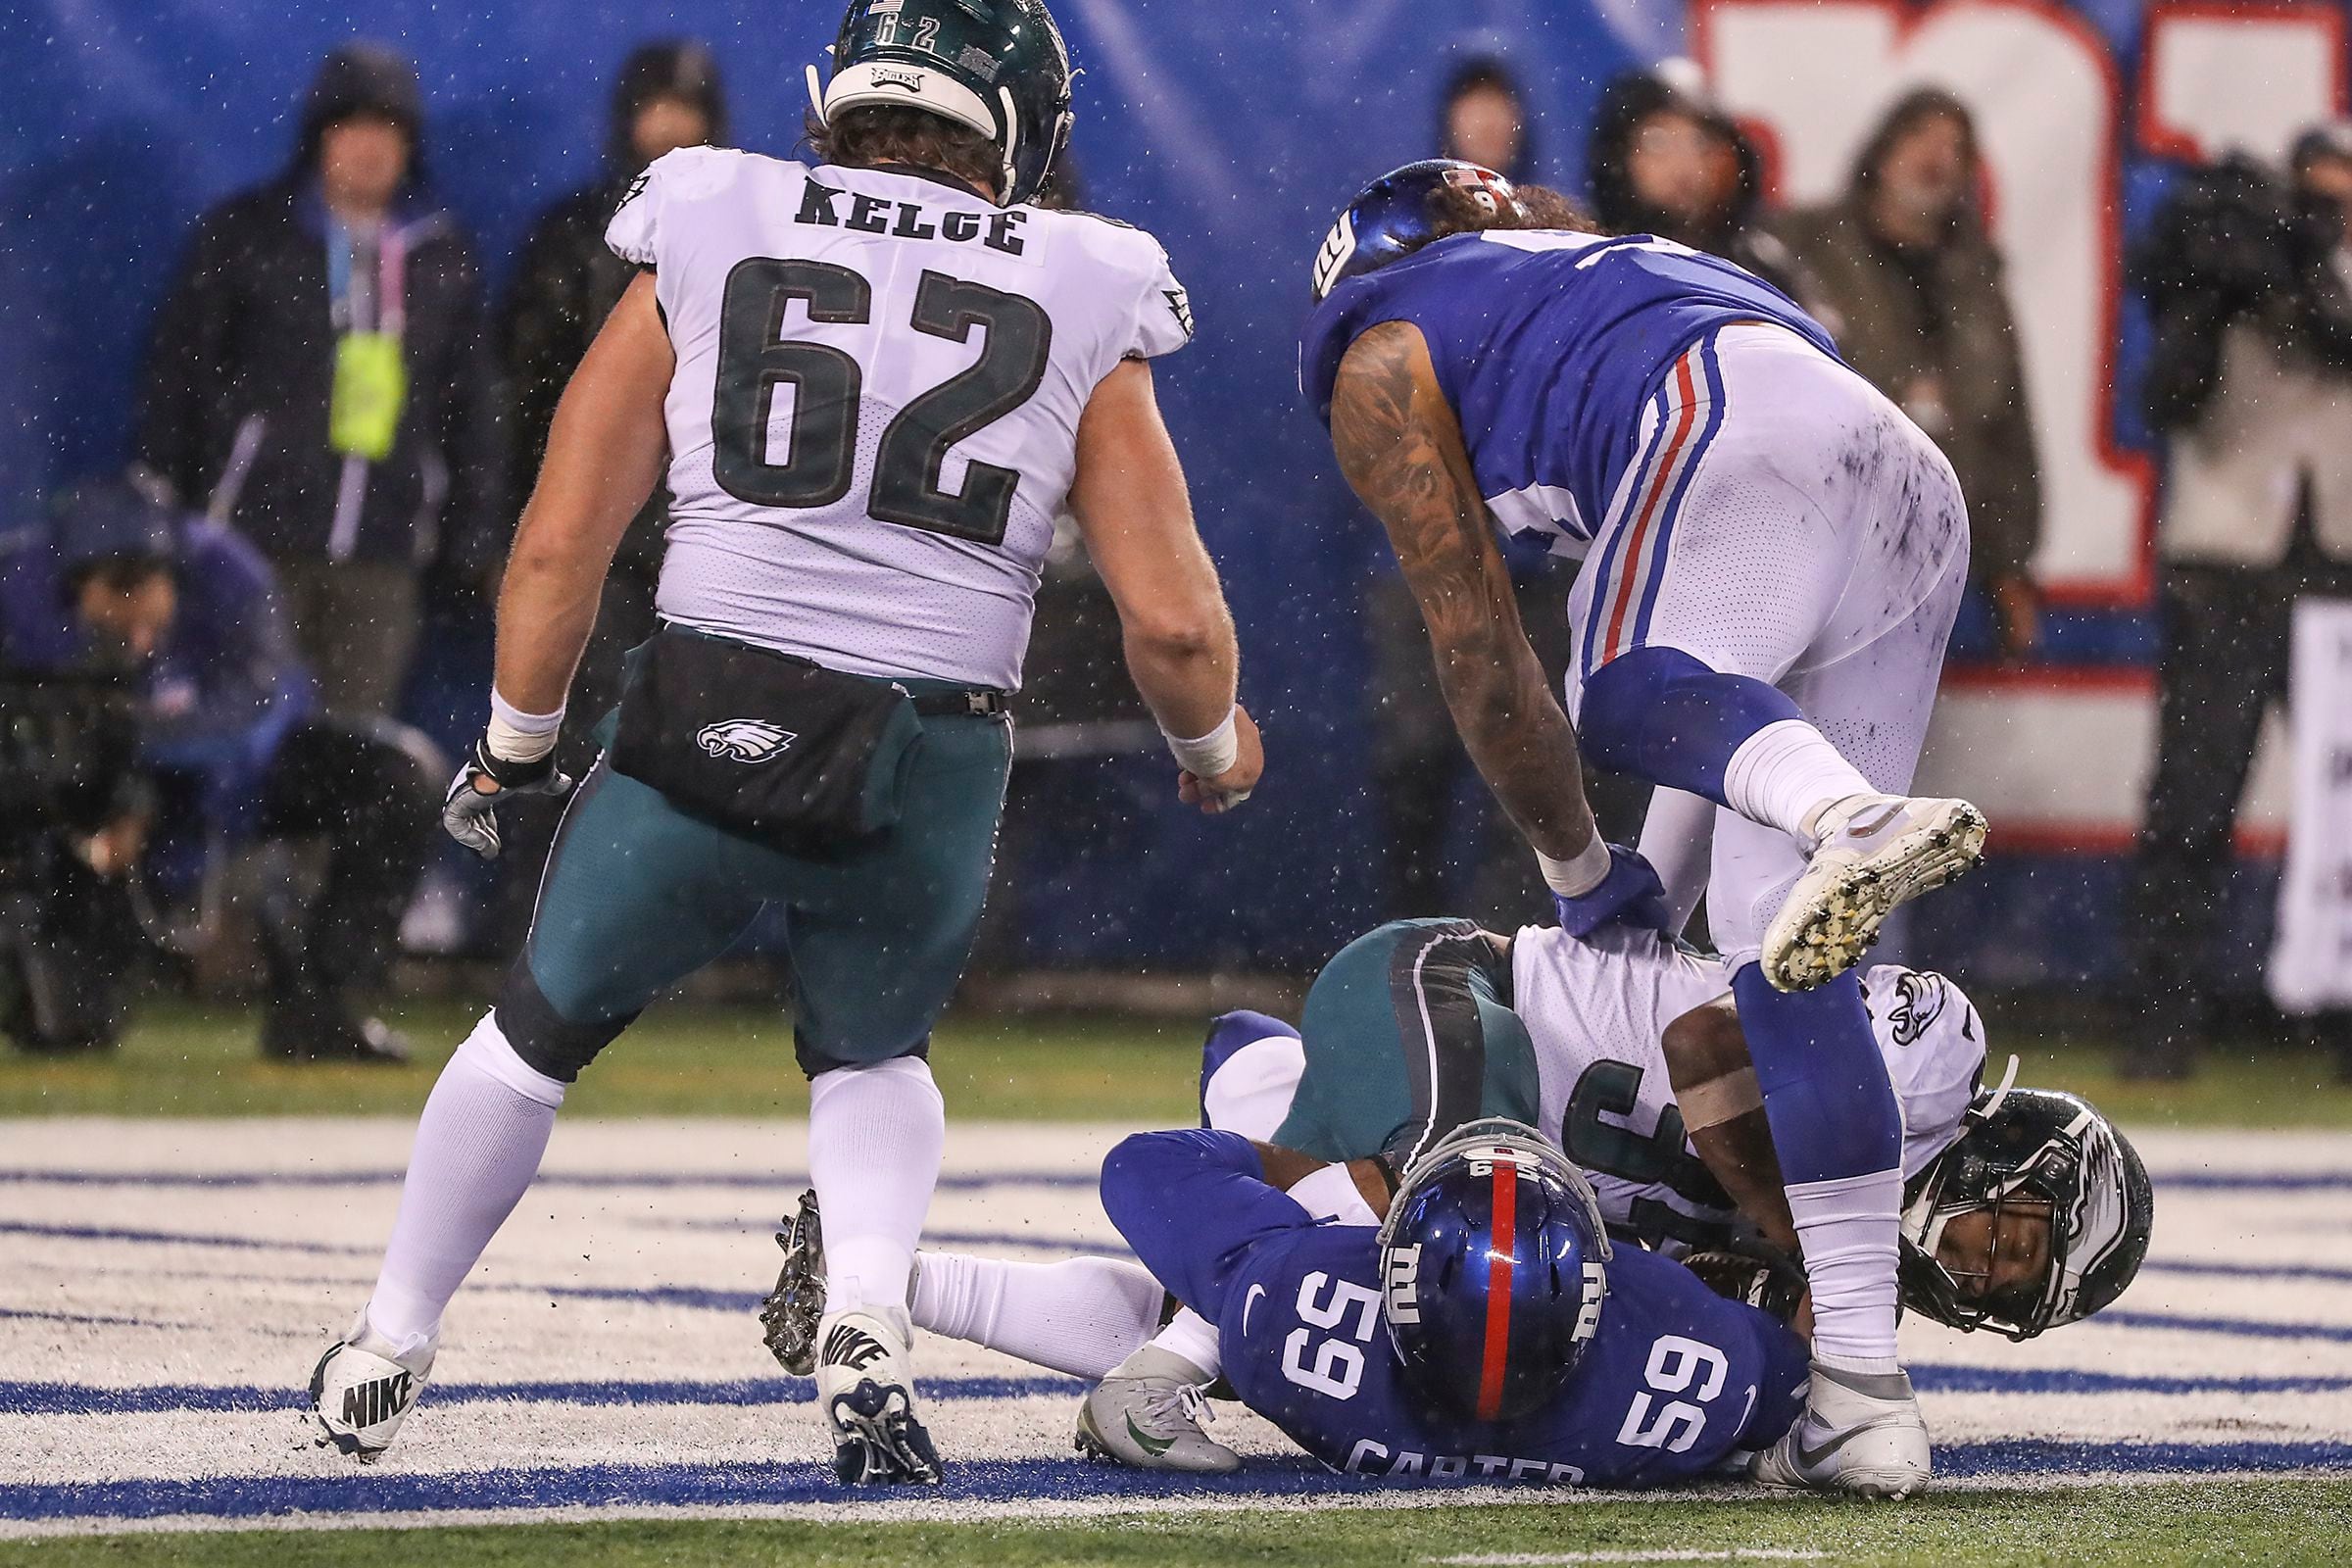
227 721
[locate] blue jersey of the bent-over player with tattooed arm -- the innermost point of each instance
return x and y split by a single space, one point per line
1546 344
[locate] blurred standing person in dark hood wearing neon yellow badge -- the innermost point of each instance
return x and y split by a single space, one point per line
319 380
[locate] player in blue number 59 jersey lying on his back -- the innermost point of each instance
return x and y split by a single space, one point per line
1483 1332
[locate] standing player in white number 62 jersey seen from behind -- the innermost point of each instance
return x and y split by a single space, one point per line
869 384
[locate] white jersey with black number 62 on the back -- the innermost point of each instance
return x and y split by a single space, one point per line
874 415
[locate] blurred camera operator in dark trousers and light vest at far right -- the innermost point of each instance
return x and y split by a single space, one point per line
2252 389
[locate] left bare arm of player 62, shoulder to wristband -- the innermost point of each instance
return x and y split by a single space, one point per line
606 455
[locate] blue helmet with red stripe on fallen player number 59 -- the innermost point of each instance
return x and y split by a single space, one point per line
1495 1271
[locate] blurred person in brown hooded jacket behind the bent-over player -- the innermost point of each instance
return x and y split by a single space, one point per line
1925 316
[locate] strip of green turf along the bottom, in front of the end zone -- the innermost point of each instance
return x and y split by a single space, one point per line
2184 1525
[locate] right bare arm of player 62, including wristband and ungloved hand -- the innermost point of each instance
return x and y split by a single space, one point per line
1137 521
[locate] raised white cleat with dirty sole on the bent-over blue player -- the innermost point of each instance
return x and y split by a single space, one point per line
1876 855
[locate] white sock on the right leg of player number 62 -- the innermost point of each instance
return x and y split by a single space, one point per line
876 1139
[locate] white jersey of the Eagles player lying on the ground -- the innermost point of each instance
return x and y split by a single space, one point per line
1596 1012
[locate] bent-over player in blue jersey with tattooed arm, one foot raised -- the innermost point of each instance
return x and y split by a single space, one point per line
1772 565
